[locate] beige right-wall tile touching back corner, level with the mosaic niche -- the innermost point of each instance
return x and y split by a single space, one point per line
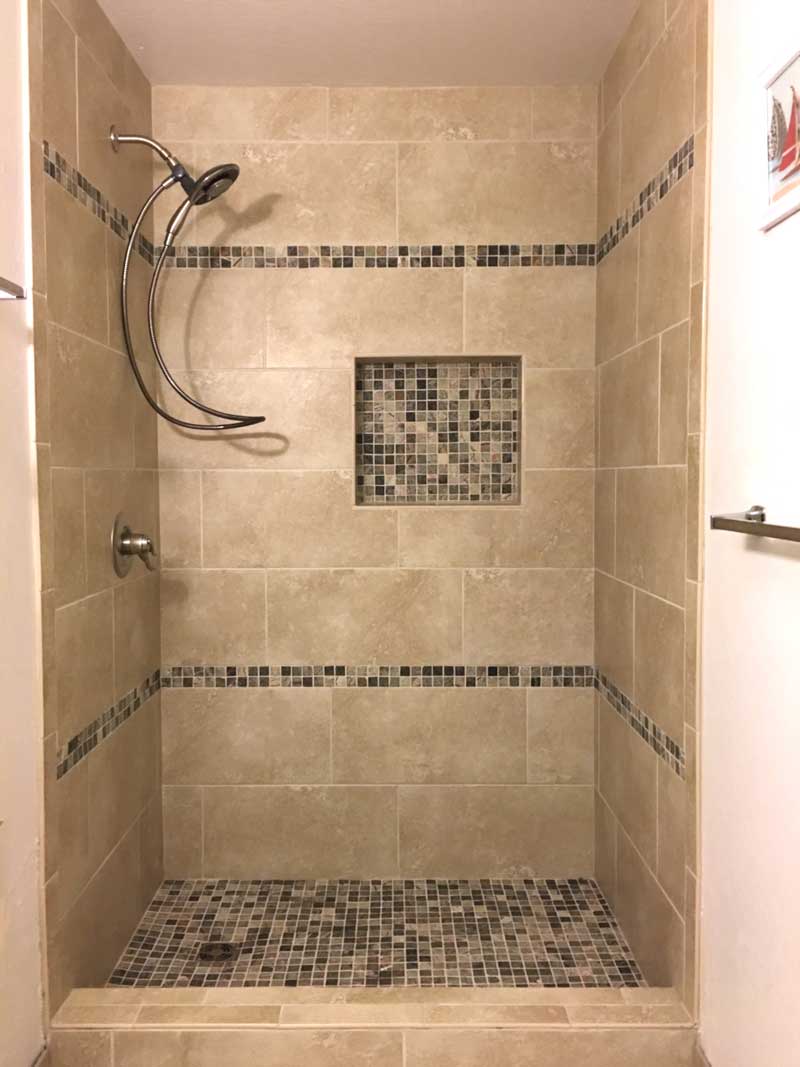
628 401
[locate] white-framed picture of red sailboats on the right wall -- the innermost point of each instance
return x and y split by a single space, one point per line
782 171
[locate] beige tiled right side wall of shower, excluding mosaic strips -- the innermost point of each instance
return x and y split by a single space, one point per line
650 423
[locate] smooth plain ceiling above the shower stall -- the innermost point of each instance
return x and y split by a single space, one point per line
372 42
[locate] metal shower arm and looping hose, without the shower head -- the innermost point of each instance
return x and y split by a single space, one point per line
236 422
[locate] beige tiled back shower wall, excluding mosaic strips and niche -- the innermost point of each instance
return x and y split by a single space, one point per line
266 559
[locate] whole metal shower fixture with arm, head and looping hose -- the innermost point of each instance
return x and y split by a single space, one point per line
211 185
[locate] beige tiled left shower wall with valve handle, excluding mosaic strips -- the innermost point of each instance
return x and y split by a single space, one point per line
97 456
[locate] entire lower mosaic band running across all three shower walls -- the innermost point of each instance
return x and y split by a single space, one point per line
372 677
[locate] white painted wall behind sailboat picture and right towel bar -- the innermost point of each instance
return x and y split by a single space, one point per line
750 938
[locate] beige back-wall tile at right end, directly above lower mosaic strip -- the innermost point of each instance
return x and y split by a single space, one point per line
536 617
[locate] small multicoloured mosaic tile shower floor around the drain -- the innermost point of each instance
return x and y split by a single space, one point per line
489 933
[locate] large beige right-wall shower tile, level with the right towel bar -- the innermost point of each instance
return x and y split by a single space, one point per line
651 509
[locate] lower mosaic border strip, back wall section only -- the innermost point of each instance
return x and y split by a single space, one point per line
329 676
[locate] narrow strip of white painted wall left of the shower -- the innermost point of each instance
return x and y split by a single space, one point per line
21 706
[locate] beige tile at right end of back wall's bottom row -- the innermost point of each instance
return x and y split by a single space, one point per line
497 832
